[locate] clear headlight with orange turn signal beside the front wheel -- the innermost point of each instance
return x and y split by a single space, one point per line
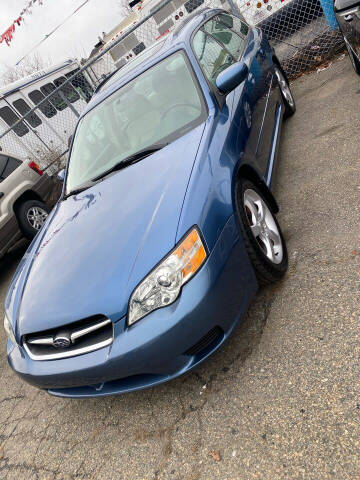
163 285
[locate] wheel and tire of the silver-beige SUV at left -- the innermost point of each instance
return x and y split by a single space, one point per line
31 216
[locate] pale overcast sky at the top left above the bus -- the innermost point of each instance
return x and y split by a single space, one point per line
76 37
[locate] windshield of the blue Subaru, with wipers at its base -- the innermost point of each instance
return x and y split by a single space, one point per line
157 107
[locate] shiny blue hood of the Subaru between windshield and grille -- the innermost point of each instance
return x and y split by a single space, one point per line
98 245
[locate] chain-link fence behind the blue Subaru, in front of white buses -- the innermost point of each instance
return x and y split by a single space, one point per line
38 115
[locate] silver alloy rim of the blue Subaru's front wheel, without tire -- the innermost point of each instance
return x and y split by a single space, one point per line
263 226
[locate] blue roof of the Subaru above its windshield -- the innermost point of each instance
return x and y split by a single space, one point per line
176 39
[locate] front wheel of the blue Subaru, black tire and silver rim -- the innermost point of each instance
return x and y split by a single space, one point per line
261 232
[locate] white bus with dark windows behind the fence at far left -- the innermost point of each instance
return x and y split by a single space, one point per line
49 127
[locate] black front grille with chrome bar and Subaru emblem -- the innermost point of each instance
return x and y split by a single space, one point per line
74 339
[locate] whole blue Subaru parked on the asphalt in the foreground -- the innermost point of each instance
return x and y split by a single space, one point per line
166 225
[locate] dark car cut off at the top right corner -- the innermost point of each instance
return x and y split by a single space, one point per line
348 16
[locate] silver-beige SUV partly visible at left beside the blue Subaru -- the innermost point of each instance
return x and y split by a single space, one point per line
25 191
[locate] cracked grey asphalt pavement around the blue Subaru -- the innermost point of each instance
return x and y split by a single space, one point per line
281 400
